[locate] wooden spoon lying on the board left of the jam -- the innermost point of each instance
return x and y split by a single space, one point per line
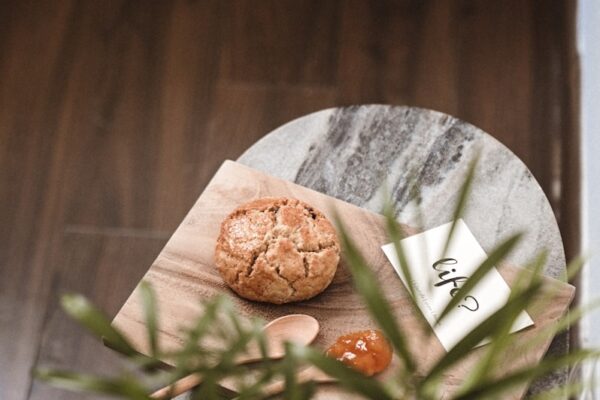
295 328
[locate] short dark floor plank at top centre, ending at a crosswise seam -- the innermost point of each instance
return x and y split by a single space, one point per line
257 38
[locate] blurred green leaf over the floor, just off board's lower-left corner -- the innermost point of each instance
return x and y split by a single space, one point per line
84 312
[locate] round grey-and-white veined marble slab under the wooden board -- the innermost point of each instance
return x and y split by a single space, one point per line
359 153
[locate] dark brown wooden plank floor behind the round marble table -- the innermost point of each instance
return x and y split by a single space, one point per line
114 115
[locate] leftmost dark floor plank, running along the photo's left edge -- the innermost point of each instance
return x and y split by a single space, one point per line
31 89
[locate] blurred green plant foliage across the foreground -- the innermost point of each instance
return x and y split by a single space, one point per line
220 336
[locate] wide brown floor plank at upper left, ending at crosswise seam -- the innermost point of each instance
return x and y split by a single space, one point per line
114 114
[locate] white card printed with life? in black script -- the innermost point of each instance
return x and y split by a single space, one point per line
436 278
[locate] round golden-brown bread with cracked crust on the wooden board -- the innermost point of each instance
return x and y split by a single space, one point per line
277 250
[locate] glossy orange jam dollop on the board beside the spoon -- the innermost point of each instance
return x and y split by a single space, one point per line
366 351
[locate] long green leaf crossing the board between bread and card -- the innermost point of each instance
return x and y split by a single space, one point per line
369 290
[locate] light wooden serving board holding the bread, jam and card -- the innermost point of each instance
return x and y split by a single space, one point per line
184 273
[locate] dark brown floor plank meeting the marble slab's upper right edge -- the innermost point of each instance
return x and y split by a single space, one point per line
495 71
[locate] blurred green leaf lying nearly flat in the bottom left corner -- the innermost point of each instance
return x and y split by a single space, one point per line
123 387
